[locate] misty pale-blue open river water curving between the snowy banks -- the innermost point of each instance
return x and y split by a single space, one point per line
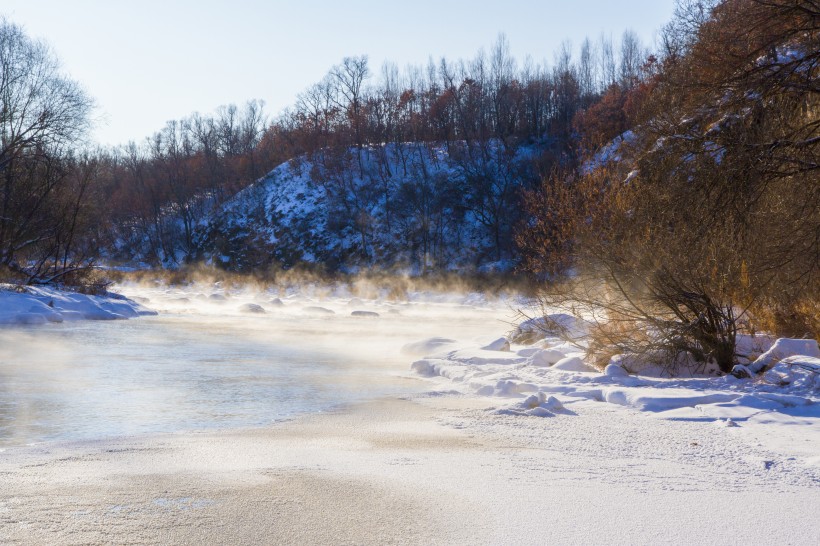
223 358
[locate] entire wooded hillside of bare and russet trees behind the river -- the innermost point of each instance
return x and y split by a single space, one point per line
674 191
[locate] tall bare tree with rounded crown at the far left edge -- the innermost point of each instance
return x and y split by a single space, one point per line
43 179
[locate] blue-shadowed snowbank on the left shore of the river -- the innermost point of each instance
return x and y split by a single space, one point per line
41 305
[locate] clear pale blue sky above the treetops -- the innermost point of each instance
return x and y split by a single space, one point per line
149 61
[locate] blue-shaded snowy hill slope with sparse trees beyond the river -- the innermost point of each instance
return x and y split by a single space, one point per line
413 205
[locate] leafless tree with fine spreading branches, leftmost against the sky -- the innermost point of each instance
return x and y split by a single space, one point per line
42 114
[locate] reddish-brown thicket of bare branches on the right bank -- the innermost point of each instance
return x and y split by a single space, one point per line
709 222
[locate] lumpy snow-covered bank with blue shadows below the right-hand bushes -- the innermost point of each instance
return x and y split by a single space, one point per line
779 409
